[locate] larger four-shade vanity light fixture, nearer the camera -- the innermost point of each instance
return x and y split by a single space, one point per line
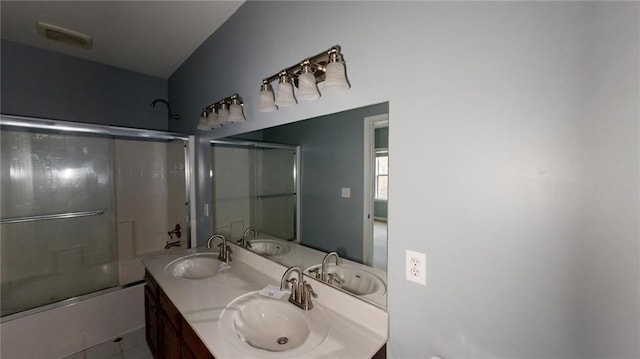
327 67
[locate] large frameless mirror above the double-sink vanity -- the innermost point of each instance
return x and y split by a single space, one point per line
310 188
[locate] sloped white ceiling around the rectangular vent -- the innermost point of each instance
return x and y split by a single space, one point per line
150 37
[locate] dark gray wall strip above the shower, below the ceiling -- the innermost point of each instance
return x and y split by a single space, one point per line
47 84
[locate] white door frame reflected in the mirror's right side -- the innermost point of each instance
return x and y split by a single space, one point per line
370 124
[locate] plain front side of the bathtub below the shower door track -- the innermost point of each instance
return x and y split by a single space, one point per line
73 325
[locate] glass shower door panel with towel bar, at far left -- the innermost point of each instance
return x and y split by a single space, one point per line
57 233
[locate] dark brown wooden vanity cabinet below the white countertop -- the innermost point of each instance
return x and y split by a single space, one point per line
169 336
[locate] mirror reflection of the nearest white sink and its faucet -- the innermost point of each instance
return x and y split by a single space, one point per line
351 279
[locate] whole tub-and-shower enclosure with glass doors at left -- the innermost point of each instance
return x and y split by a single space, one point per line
53 260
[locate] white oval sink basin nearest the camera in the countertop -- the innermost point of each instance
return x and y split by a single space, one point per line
272 328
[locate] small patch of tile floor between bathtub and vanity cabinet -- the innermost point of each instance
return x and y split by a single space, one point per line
131 345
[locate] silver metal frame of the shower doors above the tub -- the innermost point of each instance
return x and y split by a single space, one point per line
115 132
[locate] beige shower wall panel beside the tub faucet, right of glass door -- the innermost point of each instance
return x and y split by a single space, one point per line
150 191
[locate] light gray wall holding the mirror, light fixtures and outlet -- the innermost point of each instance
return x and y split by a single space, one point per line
514 159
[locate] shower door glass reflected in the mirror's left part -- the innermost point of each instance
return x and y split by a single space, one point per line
254 184
